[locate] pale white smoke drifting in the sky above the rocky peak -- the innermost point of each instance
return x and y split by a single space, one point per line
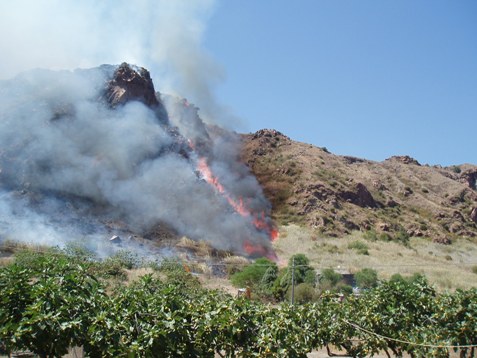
162 35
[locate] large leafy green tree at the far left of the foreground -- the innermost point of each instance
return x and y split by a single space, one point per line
57 302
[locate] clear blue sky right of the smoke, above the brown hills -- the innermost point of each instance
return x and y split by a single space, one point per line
368 78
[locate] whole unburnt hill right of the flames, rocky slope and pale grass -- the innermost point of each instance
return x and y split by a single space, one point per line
422 216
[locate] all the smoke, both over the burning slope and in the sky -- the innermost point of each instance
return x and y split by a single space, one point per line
56 136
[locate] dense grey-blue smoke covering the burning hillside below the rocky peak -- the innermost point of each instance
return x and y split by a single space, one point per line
70 164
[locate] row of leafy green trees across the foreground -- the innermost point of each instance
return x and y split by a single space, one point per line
51 302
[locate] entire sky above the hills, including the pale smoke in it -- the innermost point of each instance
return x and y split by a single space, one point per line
366 78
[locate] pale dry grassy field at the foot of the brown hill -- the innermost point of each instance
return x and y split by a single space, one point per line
447 266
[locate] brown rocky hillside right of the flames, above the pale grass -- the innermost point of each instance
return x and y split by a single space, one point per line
335 195
